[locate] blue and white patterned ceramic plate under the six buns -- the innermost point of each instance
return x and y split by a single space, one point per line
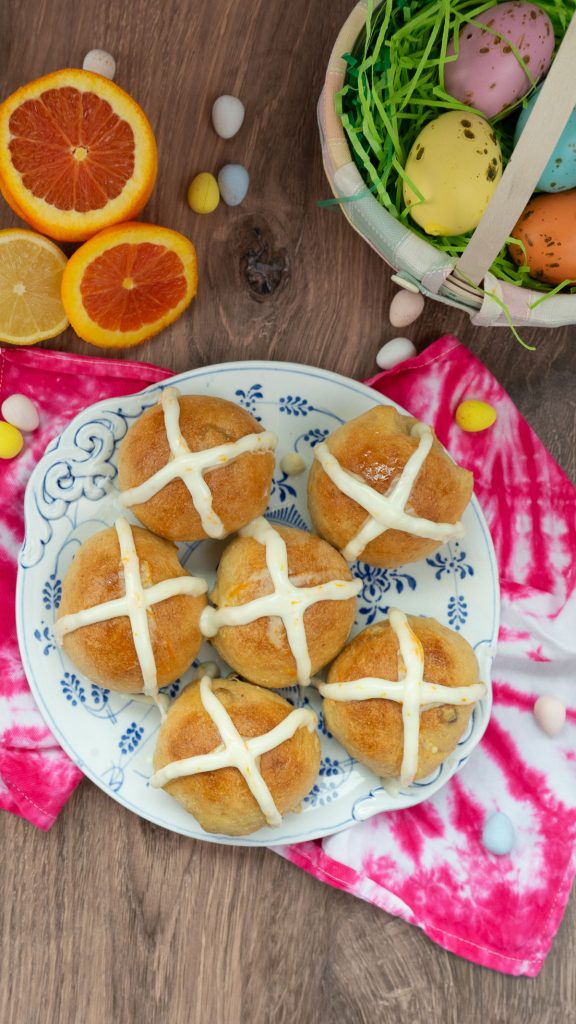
72 495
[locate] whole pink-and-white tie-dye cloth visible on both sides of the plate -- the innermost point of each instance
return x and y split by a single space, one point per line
427 865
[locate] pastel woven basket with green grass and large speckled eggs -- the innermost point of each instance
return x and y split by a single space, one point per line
449 141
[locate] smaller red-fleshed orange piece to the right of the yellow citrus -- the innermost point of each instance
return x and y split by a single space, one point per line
129 283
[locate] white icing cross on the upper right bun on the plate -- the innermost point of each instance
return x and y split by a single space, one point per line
387 511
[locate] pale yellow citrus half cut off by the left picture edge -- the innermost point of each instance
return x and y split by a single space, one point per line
31 272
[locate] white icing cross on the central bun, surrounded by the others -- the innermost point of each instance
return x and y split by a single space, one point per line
289 603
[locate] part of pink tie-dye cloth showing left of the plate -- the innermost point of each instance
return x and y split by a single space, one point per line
36 777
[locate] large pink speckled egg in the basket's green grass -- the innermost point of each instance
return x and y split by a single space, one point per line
486 74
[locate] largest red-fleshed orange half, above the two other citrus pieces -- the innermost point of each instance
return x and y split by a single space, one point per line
77 154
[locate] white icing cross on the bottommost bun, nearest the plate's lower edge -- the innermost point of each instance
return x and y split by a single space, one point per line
236 752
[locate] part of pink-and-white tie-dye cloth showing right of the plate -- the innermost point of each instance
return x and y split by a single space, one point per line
428 865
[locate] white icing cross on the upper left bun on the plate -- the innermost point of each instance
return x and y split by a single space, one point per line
191 466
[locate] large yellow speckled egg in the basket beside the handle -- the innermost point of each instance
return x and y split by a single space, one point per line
456 164
